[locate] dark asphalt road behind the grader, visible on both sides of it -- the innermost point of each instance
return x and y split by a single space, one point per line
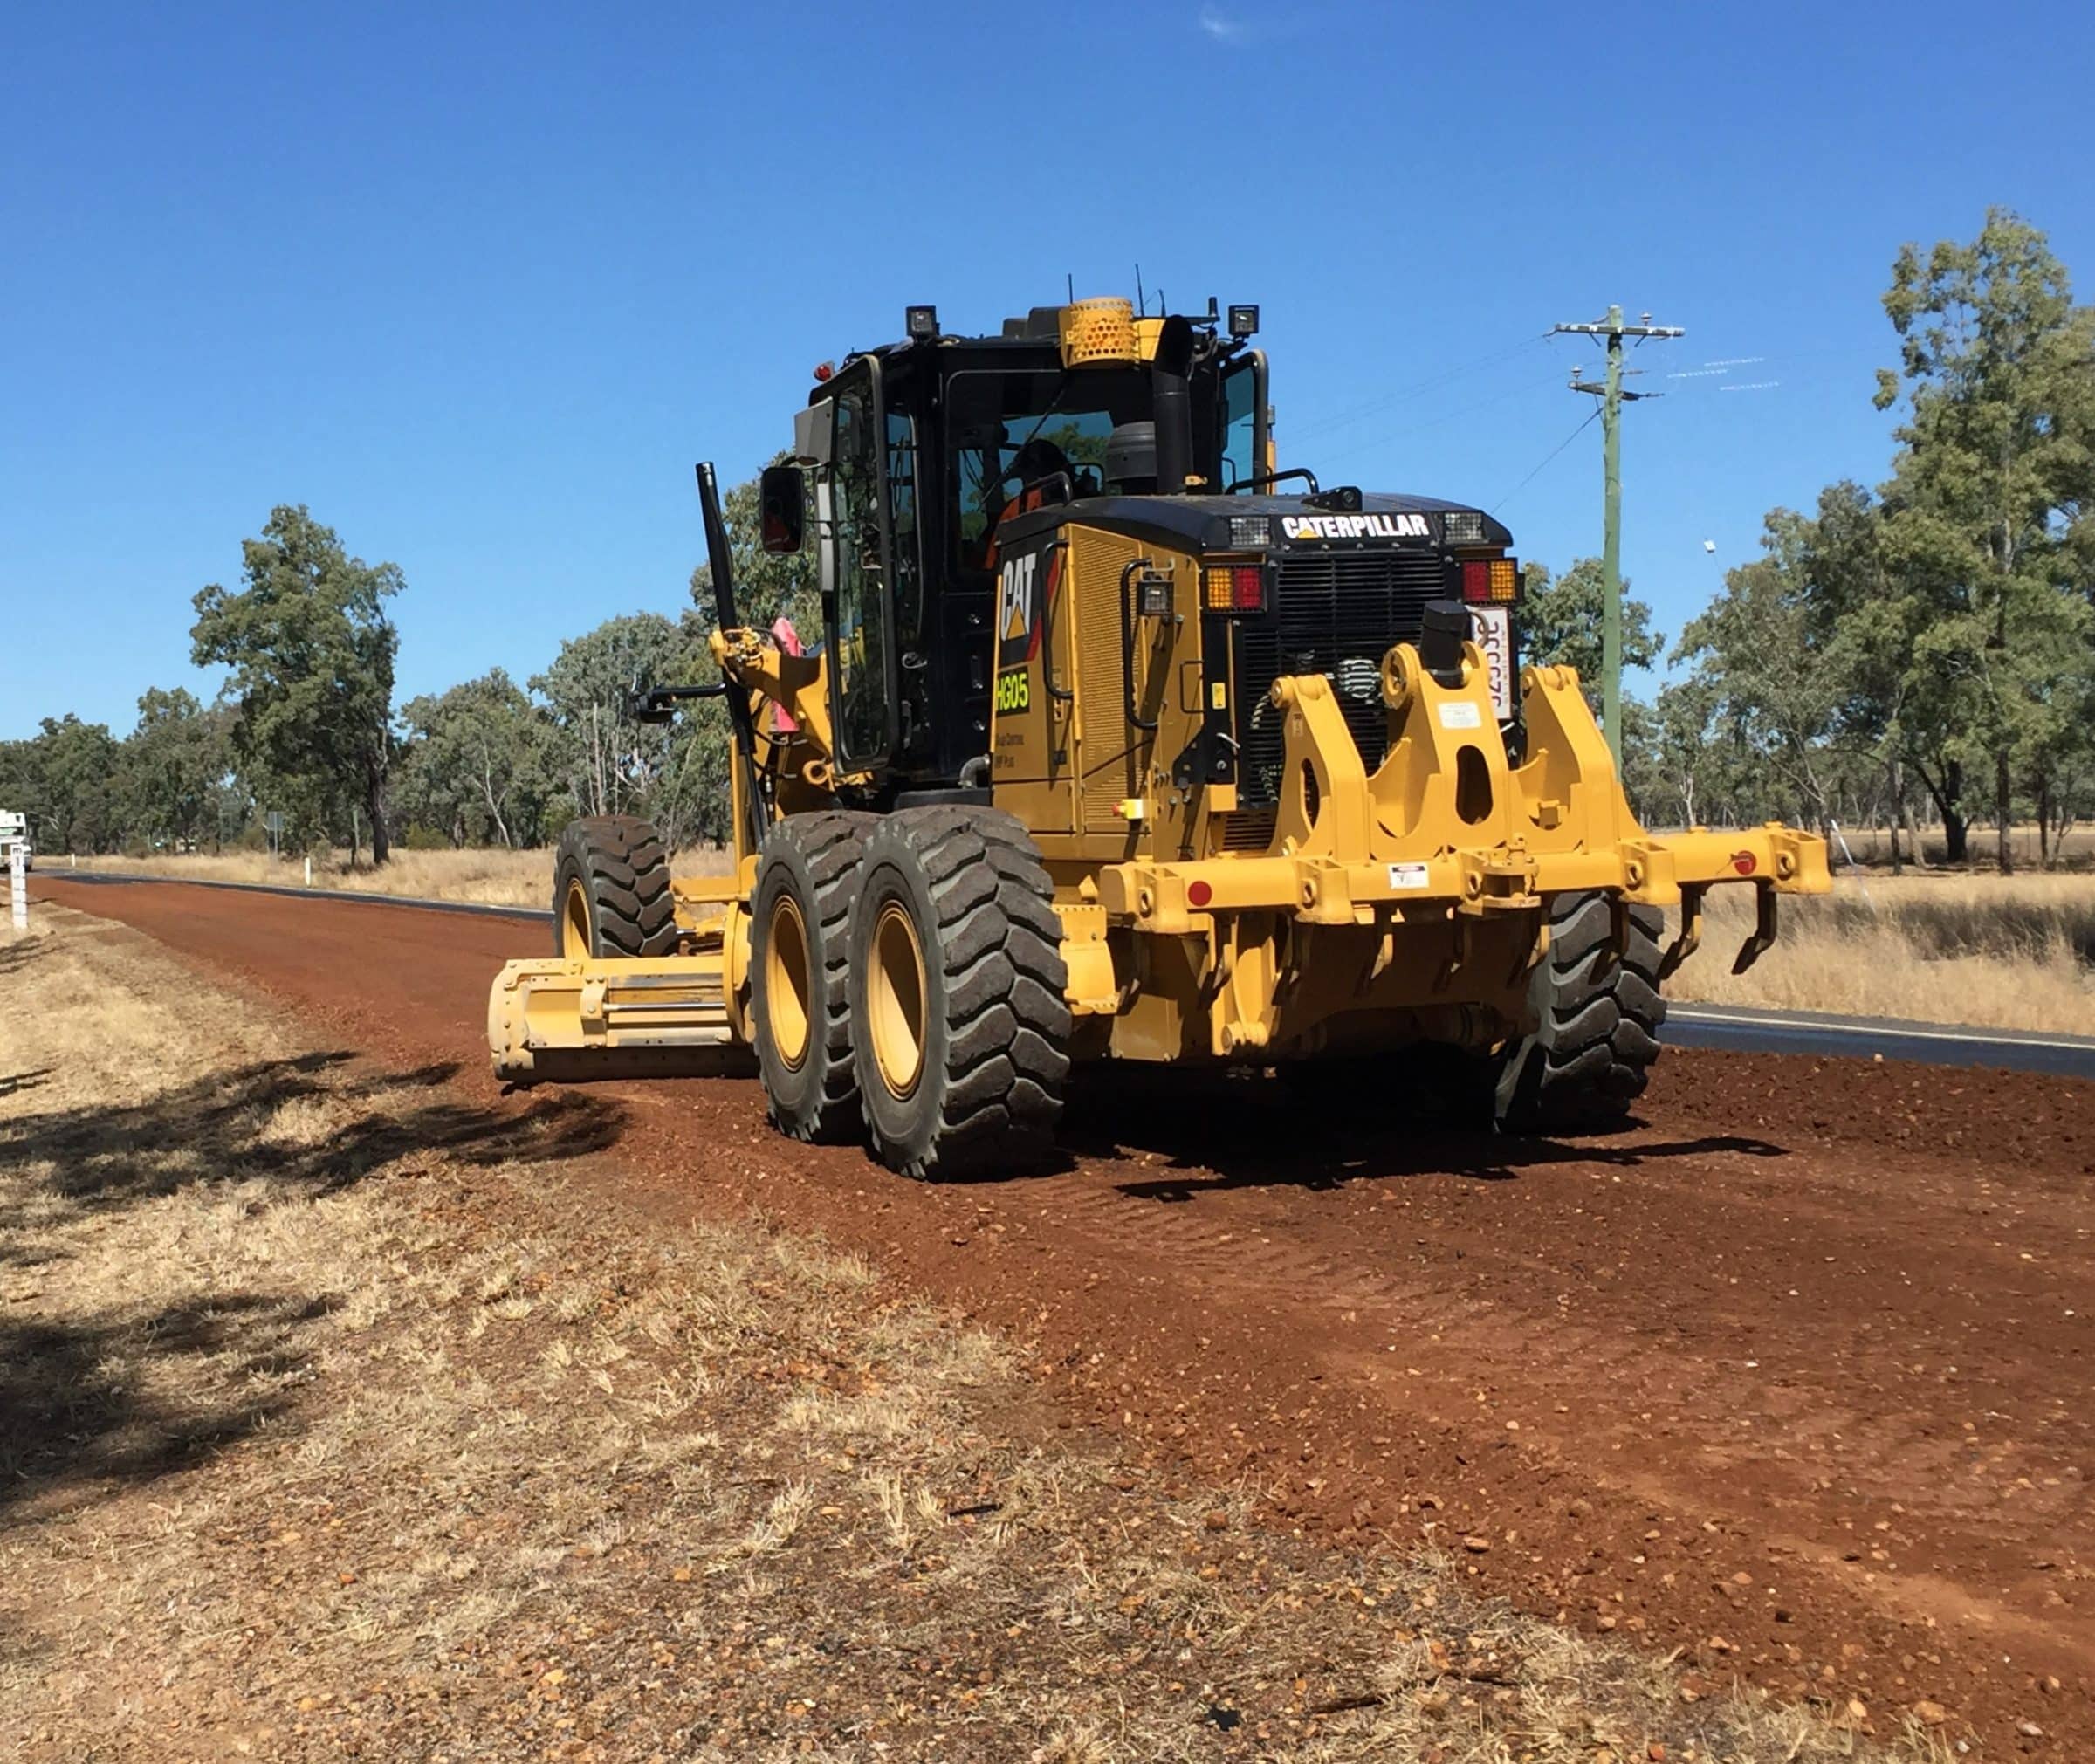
1742 1030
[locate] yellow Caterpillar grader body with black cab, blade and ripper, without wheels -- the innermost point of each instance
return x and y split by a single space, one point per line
1243 860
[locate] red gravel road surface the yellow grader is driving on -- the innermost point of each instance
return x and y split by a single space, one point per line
1792 1377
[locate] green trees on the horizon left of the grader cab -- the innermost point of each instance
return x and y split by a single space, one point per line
307 724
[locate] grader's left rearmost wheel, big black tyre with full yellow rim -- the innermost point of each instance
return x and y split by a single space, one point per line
958 1007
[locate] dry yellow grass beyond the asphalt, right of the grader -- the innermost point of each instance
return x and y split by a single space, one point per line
2000 952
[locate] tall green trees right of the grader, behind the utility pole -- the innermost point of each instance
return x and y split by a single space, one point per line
1918 653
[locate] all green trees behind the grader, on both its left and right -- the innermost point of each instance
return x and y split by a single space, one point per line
1918 655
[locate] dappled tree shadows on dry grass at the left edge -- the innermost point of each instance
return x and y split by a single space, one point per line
133 1390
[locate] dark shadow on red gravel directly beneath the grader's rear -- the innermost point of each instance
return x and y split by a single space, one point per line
1245 1130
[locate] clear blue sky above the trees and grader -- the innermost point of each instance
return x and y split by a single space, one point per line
479 284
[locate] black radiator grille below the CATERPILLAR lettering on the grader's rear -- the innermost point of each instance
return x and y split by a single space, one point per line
1336 615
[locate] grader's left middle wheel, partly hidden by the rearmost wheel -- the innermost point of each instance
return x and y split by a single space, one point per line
799 952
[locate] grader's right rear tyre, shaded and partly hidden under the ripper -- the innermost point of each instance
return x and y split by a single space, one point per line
1597 1026
